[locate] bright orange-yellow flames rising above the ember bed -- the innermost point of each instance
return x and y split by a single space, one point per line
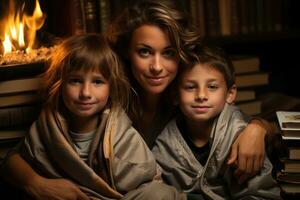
19 28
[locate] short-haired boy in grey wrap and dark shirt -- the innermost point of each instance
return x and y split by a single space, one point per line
194 147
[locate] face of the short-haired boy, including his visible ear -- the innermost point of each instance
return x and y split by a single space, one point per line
203 93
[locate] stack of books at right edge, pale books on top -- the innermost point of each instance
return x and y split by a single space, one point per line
288 174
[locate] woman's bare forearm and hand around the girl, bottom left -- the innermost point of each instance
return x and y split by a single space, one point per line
19 173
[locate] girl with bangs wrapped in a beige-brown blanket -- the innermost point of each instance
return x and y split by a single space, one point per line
83 134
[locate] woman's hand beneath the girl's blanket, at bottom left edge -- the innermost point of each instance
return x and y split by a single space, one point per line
54 189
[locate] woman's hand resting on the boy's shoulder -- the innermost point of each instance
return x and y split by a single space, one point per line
248 151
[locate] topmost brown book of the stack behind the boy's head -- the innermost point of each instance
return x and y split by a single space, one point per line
245 63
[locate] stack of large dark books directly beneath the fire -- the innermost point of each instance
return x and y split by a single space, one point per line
20 101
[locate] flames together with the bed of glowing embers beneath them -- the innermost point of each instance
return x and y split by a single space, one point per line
18 34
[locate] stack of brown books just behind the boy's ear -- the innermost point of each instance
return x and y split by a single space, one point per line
249 78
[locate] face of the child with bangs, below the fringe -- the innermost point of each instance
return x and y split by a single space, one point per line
85 94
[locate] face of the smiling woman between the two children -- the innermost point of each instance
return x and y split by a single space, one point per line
154 61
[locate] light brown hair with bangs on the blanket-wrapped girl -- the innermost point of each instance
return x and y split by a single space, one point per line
88 52
